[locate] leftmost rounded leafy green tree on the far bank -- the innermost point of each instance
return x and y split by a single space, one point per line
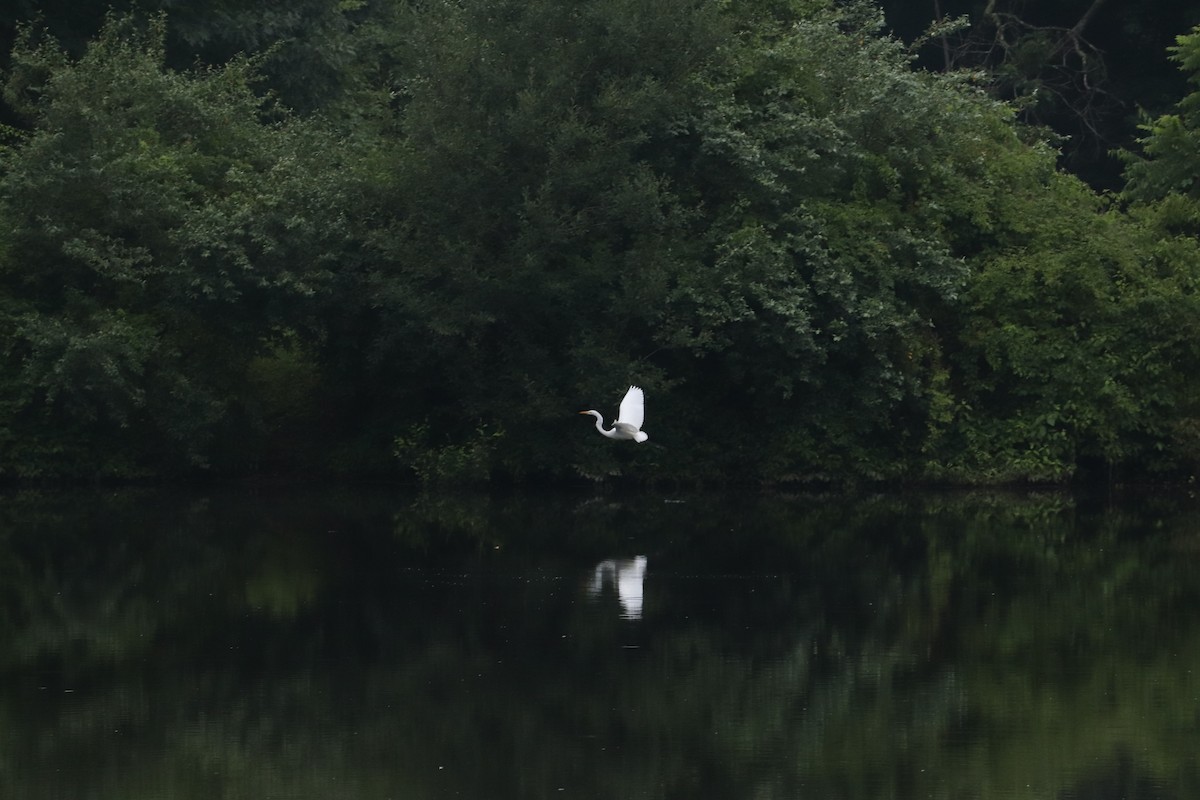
161 238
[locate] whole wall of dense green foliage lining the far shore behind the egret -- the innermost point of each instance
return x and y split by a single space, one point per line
422 246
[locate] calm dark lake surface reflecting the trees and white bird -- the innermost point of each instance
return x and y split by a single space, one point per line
374 645
